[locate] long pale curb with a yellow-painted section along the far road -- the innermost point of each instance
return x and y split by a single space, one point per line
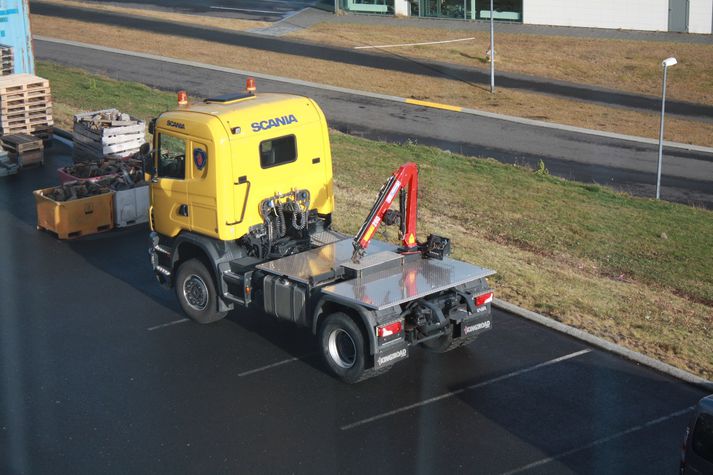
386 97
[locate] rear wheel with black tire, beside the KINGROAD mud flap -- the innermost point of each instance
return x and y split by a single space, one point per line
343 347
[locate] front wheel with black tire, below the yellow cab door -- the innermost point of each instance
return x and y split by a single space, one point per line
195 289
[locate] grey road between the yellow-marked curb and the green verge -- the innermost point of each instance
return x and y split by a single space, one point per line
628 166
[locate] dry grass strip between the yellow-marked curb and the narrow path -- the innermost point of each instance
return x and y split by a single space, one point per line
510 102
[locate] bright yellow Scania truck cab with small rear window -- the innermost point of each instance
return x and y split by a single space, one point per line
216 161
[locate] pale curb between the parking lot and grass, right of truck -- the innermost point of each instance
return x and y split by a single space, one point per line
605 345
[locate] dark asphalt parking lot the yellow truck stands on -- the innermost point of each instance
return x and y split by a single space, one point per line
99 373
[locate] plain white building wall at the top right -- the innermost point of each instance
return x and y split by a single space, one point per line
624 14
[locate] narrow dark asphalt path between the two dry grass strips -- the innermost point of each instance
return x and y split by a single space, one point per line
389 61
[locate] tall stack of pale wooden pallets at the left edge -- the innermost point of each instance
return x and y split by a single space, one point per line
25 105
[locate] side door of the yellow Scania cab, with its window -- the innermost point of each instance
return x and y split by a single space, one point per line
170 207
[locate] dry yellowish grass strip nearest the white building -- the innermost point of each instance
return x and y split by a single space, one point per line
627 65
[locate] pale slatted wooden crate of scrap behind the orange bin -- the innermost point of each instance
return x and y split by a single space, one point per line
106 134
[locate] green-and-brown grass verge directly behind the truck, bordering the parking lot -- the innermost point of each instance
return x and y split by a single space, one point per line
635 271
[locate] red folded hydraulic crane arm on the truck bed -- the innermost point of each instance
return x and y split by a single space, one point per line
405 178
